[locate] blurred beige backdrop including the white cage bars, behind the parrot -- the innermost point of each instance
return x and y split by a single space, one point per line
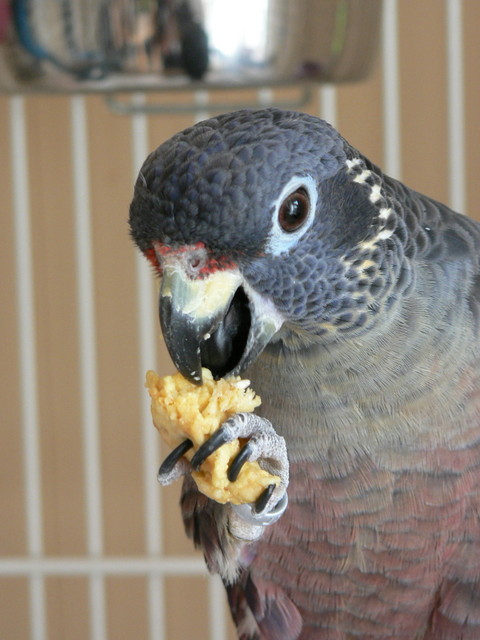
90 546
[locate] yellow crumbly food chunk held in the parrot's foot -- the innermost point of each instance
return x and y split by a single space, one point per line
182 410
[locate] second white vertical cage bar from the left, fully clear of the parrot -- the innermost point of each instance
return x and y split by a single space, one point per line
88 359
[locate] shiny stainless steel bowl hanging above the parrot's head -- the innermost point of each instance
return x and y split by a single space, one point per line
124 45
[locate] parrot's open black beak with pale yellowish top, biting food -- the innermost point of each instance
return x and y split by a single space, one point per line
212 322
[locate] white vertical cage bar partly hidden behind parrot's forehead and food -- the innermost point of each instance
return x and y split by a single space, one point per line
147 333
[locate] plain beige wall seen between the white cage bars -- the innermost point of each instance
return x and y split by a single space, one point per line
424 156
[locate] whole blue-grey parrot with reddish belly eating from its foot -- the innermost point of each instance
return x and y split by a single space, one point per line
352 304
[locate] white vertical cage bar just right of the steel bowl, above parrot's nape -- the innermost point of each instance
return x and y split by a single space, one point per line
391 98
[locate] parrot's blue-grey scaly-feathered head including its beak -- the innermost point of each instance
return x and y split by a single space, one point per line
264 226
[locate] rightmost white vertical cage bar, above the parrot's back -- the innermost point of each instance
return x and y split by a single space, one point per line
455 102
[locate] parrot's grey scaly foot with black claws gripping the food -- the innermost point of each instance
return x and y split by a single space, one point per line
265 446
